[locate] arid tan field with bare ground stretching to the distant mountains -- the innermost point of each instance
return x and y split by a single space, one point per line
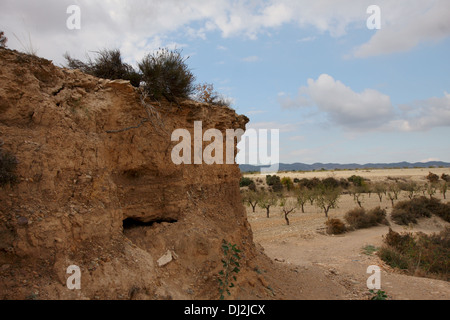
305 246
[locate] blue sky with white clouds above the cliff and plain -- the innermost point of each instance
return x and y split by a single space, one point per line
337 91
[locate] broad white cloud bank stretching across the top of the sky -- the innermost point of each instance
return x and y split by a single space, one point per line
139 26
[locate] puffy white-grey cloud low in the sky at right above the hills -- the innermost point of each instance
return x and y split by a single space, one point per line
369 109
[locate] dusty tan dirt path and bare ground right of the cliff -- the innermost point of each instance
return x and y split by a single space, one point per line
335 267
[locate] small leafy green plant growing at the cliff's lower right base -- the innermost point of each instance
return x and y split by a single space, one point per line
230 263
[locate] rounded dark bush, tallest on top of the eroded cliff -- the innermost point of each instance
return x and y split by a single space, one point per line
166 74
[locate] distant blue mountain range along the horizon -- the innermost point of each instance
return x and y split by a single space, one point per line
350 166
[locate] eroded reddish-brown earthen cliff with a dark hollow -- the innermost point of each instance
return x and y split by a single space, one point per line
97 189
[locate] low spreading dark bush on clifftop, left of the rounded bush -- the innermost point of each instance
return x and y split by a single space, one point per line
107 64
